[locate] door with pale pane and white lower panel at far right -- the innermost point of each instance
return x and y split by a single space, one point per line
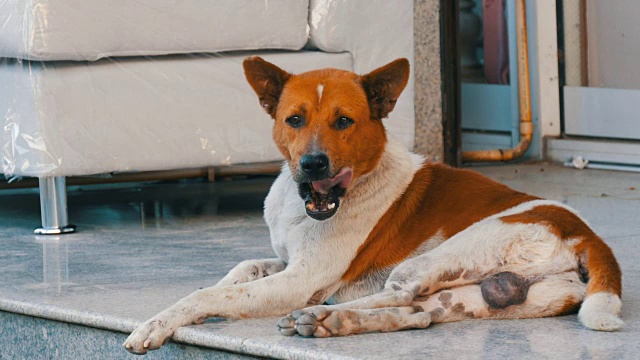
601 41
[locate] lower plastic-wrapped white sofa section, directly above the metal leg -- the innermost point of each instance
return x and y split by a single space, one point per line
137 114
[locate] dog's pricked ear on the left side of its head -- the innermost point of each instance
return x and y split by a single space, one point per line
267 80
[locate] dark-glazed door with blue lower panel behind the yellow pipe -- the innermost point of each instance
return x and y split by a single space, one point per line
489 89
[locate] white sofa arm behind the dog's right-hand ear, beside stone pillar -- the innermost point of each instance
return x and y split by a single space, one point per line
374 32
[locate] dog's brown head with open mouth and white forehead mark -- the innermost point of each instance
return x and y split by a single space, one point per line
328 124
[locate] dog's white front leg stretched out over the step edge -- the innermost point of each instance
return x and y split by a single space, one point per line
278 294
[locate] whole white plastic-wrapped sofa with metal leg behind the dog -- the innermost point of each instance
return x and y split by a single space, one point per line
92 86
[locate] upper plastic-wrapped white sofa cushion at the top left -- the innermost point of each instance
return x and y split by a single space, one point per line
93 29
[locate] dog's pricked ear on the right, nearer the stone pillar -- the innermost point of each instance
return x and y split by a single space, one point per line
384 85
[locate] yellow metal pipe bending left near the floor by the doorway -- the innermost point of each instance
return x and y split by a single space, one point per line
524 97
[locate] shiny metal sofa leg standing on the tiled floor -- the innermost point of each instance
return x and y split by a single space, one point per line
53 207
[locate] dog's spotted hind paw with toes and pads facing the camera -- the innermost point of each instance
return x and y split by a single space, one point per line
307 323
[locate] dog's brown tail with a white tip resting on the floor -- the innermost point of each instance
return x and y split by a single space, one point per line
601 307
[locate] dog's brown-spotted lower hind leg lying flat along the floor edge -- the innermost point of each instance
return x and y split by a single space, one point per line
550 296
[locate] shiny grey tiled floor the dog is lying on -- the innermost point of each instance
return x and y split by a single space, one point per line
139 249
